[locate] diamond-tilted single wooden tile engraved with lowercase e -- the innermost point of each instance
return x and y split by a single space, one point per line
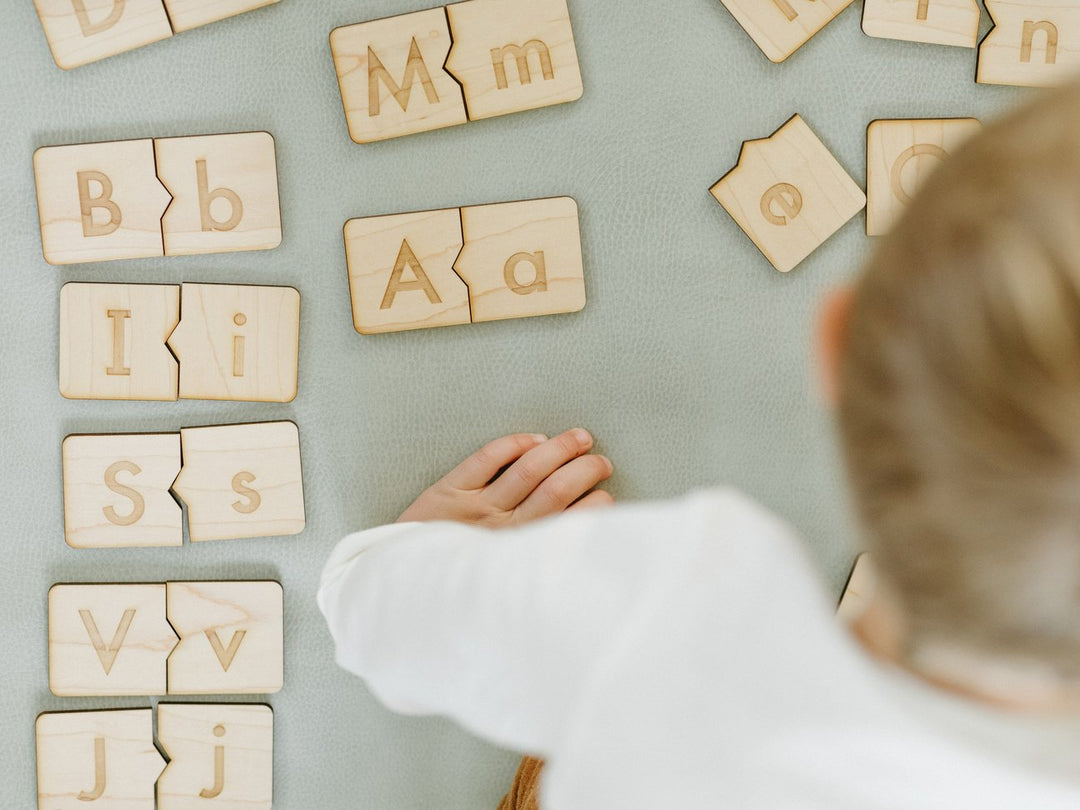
789 194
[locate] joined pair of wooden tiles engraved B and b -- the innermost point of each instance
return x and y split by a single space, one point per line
169 197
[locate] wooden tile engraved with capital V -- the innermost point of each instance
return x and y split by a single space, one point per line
109 640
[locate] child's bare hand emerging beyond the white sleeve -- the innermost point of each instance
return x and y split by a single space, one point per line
546 476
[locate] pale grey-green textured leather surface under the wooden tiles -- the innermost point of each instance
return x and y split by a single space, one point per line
691 361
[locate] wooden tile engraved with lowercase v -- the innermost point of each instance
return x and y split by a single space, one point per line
231 638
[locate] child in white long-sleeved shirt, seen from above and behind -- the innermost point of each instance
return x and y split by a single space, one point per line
685 655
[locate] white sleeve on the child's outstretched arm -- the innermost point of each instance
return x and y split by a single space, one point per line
502 630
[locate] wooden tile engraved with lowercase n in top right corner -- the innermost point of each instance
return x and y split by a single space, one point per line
1033 44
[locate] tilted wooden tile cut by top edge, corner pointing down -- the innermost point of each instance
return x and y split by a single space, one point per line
781 28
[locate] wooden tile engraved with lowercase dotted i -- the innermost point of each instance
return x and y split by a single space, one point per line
238 343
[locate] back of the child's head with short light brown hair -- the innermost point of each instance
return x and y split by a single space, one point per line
960 397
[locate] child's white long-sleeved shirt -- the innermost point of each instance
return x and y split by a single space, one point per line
678 655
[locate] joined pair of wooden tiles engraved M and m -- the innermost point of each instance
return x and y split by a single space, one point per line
442 67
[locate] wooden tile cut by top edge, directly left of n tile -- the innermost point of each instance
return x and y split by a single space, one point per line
937 22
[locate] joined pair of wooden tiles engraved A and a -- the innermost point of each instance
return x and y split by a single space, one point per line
456 266
